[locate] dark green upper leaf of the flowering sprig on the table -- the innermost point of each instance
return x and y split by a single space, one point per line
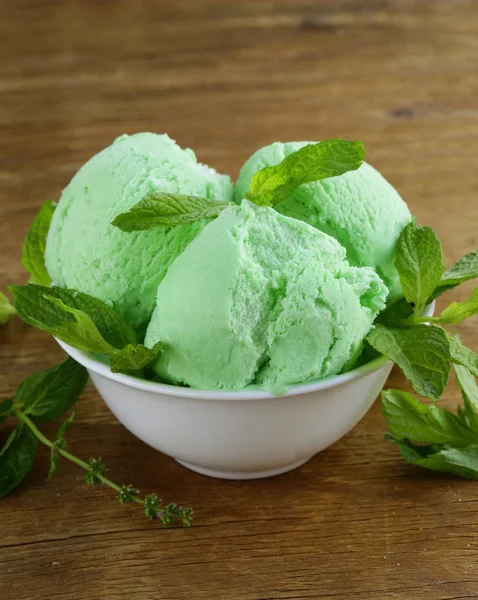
50 393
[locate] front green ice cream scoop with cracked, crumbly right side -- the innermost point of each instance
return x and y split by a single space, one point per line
258 297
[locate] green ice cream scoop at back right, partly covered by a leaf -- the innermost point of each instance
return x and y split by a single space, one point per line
360 209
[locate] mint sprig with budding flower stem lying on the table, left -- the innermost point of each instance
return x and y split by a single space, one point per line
47 395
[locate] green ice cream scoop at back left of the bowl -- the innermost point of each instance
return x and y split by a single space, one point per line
86 253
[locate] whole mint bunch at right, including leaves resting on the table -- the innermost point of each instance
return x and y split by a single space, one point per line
426 435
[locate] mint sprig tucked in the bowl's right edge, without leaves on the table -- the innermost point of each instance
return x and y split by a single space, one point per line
424 353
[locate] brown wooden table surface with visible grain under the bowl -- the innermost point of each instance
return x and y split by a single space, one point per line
356 522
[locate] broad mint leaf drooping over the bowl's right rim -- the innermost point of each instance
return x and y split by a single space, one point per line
421 351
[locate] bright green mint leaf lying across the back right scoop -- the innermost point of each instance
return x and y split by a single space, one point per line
313 162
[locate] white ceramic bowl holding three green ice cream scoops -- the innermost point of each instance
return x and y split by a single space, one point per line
239 435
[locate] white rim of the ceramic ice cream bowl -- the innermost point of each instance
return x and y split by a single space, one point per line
98 367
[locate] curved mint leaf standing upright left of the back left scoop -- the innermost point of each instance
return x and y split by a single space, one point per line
33 254
